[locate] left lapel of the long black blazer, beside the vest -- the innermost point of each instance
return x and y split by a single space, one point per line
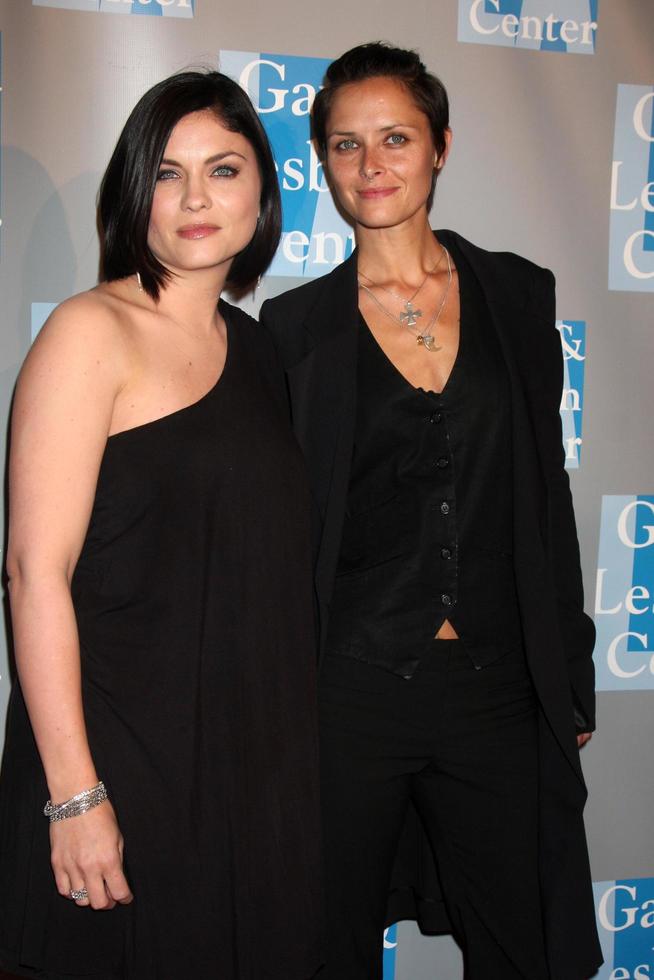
322 386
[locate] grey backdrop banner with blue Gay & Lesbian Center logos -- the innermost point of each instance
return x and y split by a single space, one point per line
553 157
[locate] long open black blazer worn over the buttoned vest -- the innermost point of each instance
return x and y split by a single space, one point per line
315 330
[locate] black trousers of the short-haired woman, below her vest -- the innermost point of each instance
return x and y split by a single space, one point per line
461 744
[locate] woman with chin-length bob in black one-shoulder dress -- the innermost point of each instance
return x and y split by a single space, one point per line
160 589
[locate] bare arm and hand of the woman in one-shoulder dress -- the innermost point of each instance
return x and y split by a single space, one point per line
62 414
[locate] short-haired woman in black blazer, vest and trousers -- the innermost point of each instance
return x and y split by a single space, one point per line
456 681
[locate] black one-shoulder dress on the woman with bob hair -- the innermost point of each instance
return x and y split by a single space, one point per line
194 608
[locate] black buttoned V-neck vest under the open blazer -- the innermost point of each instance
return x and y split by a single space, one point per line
428 526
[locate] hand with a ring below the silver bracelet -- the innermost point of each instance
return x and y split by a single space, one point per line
87 852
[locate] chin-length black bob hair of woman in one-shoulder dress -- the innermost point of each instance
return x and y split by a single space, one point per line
127 188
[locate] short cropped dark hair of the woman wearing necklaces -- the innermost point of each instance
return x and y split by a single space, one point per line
381 60
